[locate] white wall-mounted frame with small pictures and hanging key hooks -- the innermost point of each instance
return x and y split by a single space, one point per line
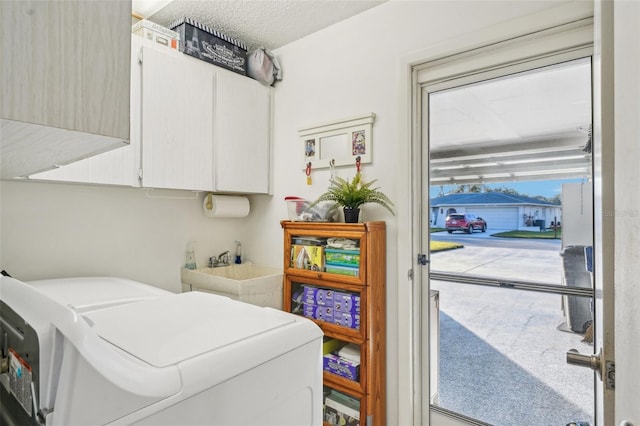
338 142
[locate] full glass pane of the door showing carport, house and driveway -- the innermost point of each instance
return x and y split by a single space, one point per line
511 221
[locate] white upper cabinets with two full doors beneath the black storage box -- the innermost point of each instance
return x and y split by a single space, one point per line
194 126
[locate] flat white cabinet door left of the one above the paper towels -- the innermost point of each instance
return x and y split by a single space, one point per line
177 119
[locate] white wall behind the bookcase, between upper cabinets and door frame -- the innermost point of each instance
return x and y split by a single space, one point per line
352 68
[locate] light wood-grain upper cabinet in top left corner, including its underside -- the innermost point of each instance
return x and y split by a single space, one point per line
65 81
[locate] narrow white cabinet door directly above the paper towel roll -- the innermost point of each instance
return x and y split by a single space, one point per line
242 134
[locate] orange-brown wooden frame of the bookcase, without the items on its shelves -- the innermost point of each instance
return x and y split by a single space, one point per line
370 285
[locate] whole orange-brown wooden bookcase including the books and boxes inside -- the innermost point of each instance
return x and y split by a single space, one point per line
310 290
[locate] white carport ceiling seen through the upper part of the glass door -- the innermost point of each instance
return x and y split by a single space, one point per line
534 125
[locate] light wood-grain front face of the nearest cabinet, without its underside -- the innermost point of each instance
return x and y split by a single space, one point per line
66 65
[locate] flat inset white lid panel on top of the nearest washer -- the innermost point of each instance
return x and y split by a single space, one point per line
169 329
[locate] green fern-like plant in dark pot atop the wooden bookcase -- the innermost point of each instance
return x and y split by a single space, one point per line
351 194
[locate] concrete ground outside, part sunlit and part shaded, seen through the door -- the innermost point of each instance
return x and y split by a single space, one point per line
502 353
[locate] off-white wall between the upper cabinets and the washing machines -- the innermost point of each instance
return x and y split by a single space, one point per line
59 230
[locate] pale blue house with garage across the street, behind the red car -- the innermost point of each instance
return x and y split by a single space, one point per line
498 209
